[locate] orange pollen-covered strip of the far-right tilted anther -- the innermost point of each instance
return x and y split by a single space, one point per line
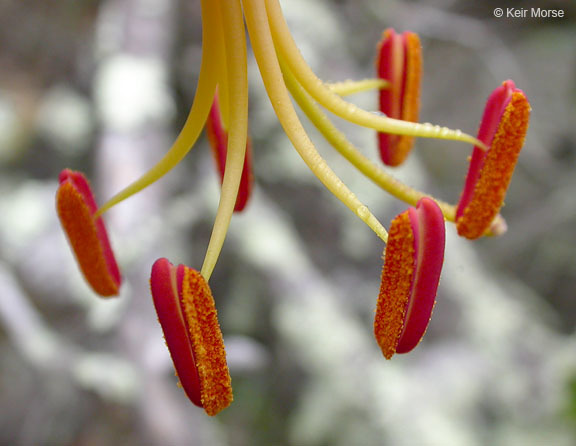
497 170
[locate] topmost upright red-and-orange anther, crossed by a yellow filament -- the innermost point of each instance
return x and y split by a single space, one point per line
399 62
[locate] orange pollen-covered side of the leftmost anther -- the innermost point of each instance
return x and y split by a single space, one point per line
81 230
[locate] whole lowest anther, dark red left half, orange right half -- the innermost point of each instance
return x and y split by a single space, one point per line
187 313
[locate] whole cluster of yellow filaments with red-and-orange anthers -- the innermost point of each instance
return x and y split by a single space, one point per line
415 245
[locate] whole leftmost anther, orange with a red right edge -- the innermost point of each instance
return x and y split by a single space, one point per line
86 233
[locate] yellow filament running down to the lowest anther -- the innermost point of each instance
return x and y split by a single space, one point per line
237 79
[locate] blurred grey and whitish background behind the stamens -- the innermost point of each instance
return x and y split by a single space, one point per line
104 86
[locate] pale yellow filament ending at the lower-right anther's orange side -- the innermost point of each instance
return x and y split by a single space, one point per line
265 54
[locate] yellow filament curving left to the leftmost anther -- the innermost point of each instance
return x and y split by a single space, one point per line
211 45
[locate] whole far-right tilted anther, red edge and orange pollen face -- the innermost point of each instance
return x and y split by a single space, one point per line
503 129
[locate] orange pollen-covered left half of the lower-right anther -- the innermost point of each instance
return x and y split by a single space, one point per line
397 275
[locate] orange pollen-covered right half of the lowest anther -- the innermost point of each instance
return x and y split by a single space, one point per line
207 342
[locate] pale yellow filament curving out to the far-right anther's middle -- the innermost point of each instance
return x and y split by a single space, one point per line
346 110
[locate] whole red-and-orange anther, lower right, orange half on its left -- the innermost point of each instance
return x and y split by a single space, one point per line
412 265
